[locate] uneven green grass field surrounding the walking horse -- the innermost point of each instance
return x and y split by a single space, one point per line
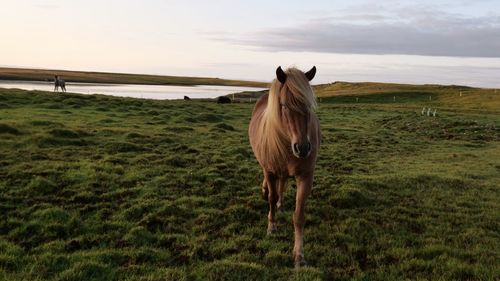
106 188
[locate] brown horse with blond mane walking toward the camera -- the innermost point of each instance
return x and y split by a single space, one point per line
285 136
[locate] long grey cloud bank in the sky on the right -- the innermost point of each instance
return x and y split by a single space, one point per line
408 30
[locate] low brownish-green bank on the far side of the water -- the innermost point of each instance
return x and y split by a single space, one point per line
117 78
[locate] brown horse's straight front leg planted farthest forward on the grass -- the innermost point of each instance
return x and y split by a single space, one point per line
304 186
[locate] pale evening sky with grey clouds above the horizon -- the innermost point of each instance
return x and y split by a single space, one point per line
439 42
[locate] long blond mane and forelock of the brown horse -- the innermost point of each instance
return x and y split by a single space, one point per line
297 94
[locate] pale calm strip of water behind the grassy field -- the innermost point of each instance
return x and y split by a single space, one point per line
160 92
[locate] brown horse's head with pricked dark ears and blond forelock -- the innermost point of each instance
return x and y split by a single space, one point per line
296 102
